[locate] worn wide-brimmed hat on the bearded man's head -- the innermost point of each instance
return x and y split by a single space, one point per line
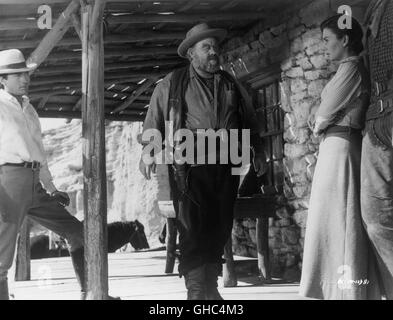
198 33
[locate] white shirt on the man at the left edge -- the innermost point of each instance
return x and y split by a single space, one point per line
21 137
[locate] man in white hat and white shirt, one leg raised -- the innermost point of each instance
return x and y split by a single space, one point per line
26 186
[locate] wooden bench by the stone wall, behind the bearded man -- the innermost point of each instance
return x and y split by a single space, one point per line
260 207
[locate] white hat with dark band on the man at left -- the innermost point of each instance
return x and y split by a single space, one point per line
13 61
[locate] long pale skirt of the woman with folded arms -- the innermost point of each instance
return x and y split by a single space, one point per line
337 259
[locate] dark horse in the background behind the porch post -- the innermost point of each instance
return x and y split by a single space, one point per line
119 234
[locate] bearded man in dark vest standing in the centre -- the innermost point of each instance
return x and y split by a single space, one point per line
201 96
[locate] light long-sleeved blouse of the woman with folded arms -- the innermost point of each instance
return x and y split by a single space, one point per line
341 99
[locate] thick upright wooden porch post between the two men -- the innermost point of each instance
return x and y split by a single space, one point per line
93 144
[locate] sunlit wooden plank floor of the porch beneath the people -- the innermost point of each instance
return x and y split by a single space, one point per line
136 276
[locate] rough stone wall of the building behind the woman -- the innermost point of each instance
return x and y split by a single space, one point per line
294 43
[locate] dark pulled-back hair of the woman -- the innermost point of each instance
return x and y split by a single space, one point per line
355 34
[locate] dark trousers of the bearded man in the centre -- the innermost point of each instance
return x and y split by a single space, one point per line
206 215
